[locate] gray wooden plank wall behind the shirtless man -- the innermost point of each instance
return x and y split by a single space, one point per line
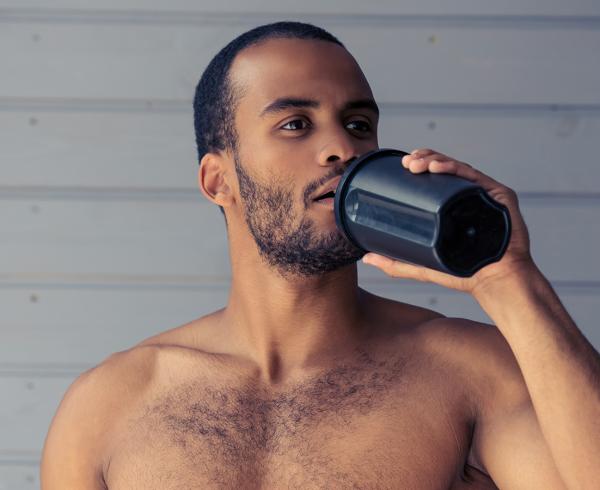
104 237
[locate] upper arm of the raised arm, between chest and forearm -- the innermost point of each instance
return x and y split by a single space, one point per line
507 441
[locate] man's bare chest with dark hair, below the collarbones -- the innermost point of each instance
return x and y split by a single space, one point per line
341 430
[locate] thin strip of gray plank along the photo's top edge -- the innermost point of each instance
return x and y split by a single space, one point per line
374 7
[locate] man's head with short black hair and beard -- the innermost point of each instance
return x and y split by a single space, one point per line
283 108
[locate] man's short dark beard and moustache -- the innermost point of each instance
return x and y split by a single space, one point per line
298 250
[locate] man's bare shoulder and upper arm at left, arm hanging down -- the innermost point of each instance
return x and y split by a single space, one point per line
78 437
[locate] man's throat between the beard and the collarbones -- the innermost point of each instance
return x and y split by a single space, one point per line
302 334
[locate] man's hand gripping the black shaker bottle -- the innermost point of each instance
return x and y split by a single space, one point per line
517 258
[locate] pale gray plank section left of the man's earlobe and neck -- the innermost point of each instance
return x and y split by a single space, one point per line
148 237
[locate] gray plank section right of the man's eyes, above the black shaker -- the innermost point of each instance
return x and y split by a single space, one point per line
530 153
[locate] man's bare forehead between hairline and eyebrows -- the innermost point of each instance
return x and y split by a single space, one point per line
314 69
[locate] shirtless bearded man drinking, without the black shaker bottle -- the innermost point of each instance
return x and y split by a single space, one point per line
305 380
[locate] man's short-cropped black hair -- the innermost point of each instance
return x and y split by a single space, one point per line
215 99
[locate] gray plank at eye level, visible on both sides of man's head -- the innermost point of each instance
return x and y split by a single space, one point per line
529 152
